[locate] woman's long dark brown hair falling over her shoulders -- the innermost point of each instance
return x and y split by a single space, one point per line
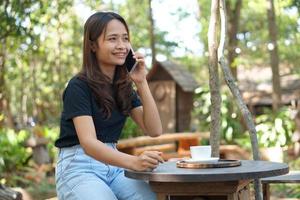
108 96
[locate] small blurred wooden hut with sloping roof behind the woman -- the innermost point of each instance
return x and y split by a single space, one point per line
172 87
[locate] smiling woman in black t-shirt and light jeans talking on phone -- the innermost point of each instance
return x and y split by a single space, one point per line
96 103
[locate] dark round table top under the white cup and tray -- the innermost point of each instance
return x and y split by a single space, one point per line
249 169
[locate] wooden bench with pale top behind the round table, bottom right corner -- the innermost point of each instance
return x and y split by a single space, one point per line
291 177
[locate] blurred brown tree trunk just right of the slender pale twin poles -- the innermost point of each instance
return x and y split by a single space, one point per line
233 27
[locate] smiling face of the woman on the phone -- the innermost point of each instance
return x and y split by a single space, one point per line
112 45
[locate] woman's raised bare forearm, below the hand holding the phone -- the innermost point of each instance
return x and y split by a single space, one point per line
151 117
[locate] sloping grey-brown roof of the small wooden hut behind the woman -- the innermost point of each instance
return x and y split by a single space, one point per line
180 75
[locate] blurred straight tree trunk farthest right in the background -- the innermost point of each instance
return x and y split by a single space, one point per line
273 49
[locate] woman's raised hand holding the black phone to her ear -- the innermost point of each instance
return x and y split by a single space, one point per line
138 75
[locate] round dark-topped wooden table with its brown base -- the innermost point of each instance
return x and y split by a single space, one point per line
226 183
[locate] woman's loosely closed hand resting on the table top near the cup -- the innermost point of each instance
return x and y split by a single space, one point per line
148 160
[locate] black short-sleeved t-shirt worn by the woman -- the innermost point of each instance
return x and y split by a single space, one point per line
78 100
